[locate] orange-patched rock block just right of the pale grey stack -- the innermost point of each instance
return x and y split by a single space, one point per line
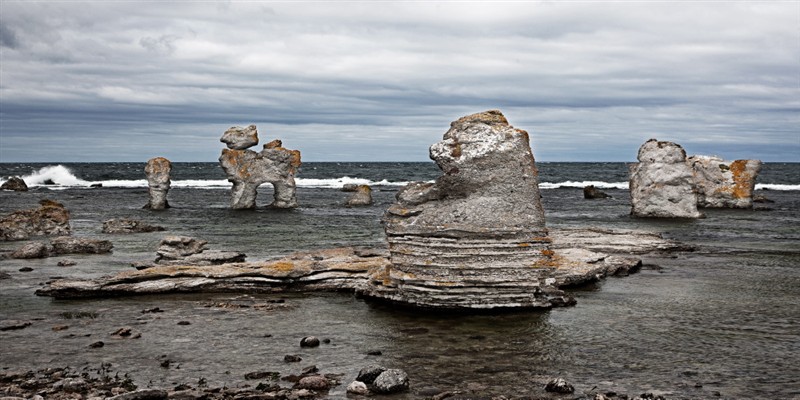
724 184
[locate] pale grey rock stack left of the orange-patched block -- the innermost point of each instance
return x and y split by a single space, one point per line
661 183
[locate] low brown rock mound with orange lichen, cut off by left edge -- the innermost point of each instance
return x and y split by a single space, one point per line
51 218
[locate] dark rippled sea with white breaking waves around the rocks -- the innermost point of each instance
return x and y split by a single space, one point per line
721 321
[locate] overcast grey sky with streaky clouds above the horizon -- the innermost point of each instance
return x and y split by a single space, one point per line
381 81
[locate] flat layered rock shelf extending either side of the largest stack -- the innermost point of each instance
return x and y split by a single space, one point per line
579 254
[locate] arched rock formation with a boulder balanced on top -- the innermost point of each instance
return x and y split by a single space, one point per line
247 170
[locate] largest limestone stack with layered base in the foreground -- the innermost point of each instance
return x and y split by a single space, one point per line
476 238
